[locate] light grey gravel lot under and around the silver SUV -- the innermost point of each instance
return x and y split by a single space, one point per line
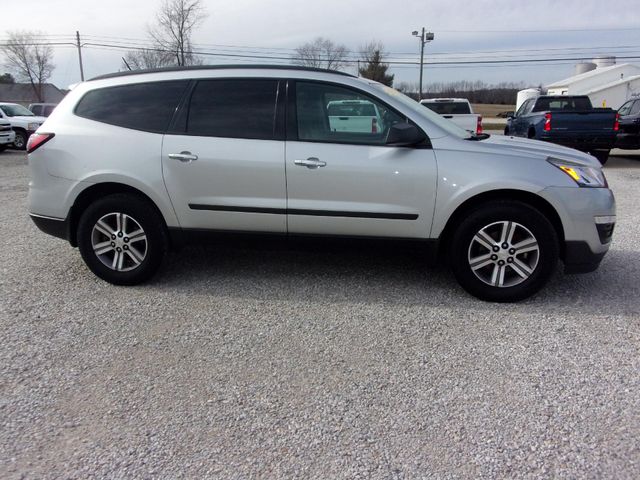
312 362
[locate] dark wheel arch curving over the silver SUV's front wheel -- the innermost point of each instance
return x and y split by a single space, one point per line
523 196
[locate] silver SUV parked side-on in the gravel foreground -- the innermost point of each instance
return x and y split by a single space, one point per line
130 164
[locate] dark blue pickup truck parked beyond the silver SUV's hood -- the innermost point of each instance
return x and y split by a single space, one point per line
567 120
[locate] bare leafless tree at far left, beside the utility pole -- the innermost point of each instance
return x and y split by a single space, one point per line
29 59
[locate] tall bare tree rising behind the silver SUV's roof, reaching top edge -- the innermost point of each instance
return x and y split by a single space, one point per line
175 23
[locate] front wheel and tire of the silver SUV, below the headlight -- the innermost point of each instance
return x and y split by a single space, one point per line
481 265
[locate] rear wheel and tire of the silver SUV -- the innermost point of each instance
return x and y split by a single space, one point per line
106 244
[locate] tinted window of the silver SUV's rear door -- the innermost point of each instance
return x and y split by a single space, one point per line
234 109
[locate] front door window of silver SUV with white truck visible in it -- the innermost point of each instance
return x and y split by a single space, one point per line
329 113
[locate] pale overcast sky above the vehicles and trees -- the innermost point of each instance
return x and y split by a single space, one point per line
464 30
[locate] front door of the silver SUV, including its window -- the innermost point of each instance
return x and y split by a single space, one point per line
351 183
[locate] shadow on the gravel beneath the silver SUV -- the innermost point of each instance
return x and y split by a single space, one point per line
388 272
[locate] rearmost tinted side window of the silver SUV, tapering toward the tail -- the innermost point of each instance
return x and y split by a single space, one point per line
141 106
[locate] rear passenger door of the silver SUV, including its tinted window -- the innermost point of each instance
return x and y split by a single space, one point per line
223 160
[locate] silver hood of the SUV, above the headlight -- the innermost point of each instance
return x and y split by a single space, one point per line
525 147
